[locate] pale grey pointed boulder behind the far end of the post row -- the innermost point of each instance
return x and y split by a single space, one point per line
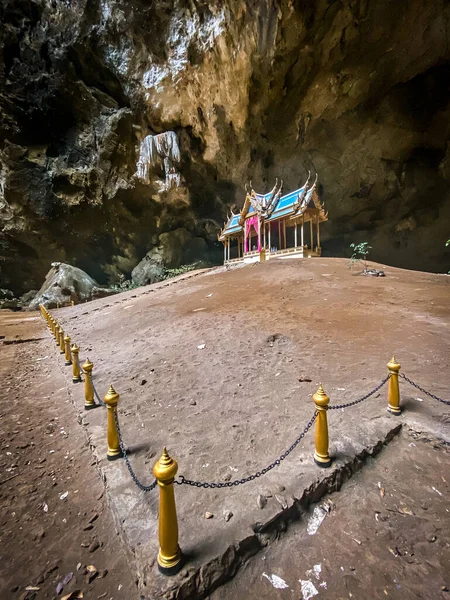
64 284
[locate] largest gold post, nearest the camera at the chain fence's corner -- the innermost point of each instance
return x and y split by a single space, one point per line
169 555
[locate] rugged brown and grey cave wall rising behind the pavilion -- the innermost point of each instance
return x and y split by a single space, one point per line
357 91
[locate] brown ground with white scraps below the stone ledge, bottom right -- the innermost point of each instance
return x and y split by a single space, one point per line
386 535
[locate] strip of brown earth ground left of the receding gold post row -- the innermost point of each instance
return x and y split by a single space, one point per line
44 453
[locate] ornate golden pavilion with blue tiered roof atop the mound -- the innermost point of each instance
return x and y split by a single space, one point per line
273 226
